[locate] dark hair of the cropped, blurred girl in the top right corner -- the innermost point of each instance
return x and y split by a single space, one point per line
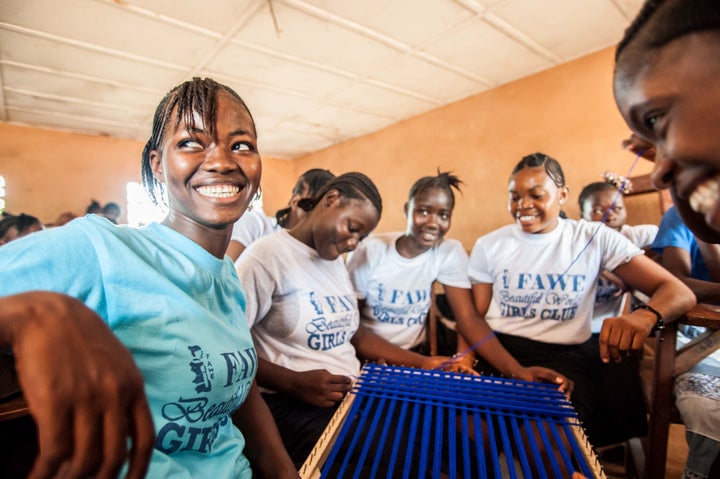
661 21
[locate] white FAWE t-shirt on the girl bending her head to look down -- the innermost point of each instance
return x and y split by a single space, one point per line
301 308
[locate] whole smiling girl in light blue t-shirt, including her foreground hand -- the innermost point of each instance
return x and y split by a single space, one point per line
131 344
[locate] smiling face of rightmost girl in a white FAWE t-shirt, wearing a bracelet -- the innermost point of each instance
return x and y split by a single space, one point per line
535 200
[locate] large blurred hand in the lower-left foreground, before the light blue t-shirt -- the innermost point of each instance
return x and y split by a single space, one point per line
82 386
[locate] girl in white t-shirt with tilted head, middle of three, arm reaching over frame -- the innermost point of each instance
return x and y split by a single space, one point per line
393 273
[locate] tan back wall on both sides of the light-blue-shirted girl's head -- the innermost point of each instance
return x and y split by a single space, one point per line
49 172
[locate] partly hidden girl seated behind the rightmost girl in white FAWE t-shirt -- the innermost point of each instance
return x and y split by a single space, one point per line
620 412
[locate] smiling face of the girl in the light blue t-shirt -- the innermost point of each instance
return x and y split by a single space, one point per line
210 179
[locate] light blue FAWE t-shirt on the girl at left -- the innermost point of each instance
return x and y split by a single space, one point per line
177 308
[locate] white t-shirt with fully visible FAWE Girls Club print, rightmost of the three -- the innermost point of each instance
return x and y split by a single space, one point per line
544 285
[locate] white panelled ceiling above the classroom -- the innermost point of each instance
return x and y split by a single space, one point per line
314 72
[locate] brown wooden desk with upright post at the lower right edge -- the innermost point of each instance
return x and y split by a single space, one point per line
670 362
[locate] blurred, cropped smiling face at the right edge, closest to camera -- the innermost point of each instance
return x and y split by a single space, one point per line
673 101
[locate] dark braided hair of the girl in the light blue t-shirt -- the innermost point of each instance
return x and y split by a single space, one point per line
181 103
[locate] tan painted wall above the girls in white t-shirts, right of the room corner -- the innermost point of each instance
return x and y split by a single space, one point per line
567 112
